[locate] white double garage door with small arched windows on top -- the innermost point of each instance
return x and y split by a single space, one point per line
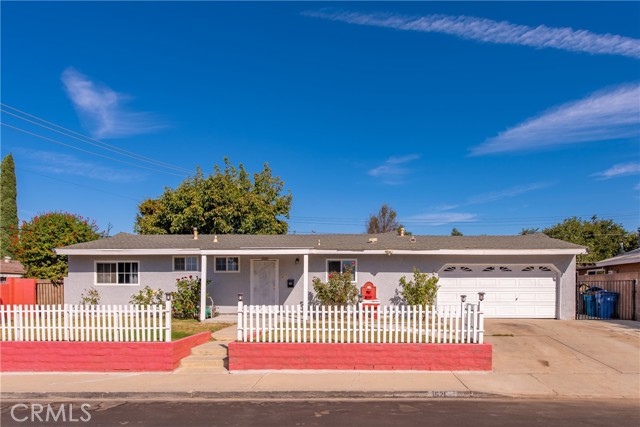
524 291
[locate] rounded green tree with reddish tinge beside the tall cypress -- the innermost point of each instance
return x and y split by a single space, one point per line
35 245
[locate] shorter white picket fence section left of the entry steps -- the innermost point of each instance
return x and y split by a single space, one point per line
134 323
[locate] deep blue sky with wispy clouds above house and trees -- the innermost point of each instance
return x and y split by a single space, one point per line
488 117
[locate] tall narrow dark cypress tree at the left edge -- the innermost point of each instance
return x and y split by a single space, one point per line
8 205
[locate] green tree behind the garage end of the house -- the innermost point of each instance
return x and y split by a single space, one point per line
603 237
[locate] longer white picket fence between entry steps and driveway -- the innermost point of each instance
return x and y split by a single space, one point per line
360 324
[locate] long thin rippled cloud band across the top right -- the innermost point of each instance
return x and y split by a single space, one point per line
489 31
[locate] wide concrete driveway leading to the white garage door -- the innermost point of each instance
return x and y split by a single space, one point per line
562 357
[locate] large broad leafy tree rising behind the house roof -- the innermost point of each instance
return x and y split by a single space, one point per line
229 201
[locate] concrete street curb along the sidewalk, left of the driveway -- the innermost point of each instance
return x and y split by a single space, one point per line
248 395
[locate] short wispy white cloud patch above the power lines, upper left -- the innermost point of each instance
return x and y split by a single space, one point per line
102 109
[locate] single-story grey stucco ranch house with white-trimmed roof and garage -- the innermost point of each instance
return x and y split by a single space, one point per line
530 276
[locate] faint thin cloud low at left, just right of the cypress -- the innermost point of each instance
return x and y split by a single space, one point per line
64 164
